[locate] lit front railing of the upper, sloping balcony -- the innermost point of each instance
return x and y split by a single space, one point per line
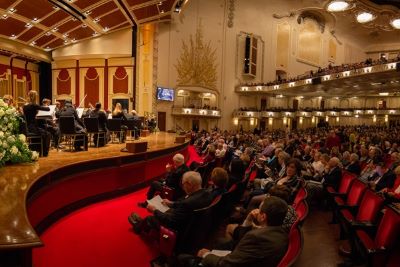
324 78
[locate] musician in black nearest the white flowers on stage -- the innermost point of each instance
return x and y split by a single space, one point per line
30 111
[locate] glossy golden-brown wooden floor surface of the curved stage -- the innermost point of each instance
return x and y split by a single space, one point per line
15 181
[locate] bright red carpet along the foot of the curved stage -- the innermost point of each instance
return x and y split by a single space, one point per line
99 235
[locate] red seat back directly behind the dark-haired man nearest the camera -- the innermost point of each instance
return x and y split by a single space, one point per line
294 248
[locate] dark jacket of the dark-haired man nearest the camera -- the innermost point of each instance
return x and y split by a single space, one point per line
261 247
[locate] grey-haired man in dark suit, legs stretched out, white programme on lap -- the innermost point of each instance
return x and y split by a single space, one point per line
180 212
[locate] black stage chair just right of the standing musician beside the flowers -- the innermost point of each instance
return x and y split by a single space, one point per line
67 131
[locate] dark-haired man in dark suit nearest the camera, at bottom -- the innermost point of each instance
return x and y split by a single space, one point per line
264 246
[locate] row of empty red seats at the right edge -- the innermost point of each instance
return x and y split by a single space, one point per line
374 237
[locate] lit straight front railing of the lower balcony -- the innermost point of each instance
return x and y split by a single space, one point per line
308 114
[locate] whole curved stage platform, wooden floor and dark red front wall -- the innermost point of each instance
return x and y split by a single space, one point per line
34 195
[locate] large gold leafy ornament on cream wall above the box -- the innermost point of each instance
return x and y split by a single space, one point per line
197 64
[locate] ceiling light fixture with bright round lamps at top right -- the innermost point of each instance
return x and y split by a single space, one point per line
368 14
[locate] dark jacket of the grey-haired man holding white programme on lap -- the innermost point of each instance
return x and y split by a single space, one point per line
178 216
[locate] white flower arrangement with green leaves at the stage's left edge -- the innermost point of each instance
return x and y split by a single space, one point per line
13 146
